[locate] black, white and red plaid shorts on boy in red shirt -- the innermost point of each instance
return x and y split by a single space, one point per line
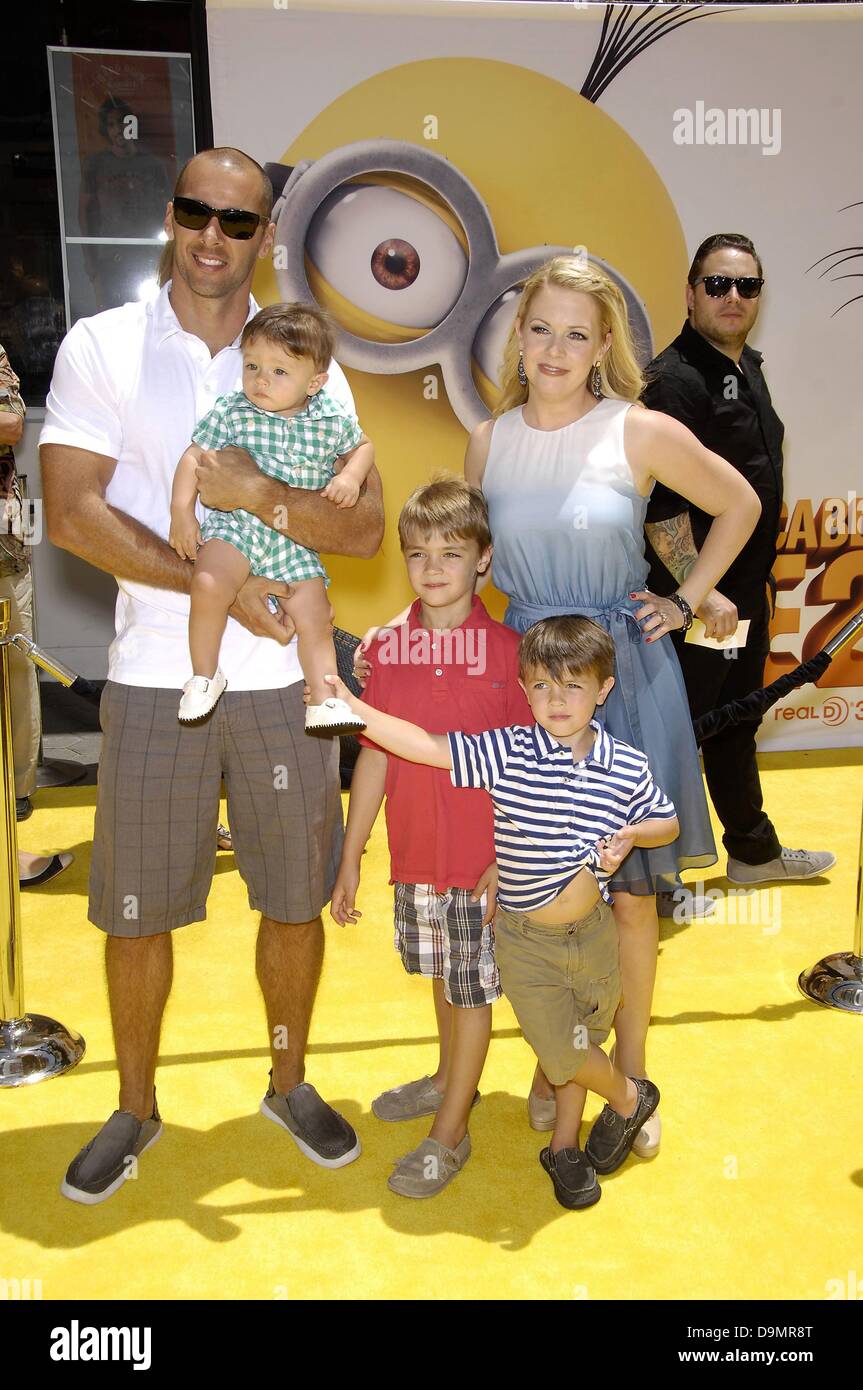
441 935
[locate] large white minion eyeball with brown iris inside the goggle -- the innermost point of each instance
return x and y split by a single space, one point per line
387 254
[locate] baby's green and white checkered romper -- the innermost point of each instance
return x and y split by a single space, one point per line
297 450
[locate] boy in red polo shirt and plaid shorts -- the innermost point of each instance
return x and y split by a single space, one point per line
448 668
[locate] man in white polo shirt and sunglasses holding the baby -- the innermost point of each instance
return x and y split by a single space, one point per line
129 390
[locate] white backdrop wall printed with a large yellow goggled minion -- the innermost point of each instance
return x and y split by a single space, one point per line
429 162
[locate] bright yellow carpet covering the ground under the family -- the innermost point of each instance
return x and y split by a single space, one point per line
758 1192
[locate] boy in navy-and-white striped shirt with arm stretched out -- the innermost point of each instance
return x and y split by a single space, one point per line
570 803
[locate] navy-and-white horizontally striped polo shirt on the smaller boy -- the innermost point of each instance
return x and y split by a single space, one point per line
550 811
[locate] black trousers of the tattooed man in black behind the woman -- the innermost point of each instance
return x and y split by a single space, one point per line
712 680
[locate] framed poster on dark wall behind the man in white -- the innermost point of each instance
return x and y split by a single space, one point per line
124 127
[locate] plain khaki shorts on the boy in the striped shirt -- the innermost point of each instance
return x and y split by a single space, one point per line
562 982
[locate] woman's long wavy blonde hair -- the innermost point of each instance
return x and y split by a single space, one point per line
620 375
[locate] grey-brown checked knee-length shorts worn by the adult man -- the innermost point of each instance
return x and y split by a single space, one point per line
158 808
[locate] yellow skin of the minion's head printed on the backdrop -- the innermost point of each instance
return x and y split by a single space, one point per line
552 169
